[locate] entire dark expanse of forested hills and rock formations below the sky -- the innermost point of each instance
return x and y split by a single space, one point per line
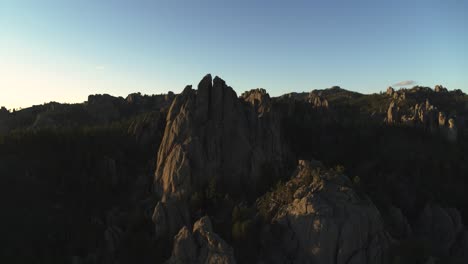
207 176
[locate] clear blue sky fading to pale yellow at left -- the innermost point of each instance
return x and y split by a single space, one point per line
64 50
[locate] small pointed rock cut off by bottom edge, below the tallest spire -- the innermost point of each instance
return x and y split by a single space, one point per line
201 245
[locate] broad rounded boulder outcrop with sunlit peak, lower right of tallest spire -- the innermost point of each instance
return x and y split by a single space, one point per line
324 221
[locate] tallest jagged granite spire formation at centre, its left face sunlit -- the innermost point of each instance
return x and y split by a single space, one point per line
212 134
